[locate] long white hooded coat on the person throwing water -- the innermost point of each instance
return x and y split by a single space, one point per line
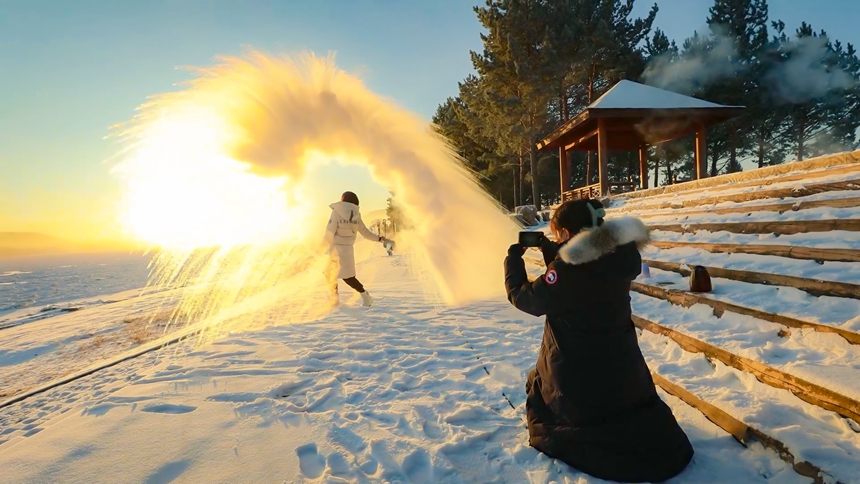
343 227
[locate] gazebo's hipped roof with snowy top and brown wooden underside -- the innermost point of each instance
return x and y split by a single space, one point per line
636 115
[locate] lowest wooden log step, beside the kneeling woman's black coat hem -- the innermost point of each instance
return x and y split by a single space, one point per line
742 432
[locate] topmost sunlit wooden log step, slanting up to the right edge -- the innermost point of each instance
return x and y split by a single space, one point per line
823 166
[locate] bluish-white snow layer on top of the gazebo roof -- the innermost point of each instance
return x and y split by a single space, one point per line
632 95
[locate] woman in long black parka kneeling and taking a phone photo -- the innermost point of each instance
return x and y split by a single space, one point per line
591 401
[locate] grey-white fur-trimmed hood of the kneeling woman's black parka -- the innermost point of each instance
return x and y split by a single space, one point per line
592 244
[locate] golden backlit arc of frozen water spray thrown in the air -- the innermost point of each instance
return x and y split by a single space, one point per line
215 175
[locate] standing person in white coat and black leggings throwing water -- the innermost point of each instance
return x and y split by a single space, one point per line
343 225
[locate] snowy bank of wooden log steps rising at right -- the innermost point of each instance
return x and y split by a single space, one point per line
788 231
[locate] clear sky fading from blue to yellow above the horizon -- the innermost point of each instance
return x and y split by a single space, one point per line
71 70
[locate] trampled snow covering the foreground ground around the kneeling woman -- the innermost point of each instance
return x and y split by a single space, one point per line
406 391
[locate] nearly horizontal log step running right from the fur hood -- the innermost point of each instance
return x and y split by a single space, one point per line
785 227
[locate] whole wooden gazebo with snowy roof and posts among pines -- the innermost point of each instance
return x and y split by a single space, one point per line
631 117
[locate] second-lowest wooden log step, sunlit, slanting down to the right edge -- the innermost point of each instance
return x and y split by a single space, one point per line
802 389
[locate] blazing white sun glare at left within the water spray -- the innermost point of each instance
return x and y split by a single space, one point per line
182 191
